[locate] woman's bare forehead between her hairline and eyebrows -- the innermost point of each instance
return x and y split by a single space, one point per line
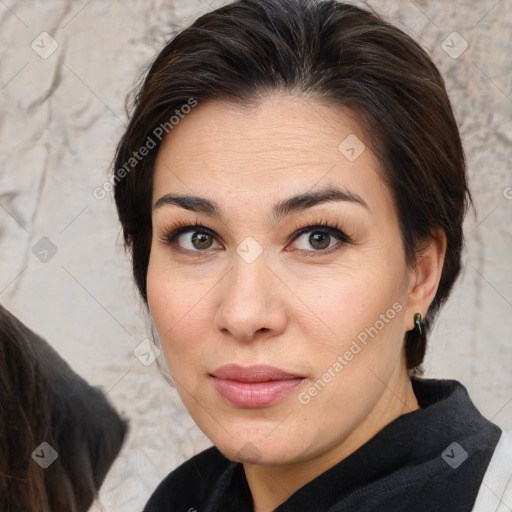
282 146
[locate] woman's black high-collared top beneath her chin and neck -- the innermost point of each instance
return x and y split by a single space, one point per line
411 465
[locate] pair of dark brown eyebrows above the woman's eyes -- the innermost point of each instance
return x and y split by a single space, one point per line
282 209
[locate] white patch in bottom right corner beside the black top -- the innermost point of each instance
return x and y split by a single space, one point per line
496 489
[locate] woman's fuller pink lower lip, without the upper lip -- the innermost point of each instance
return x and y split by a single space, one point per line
254 394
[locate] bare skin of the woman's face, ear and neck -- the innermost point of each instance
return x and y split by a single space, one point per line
215 308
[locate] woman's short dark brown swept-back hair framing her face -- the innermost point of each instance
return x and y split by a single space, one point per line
334 52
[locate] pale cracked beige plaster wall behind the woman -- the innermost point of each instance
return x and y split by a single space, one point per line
61 116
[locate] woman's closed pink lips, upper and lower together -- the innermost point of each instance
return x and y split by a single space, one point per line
254 386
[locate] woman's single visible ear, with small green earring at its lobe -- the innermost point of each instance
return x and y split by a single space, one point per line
425 276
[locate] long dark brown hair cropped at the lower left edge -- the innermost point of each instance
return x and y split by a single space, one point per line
43 400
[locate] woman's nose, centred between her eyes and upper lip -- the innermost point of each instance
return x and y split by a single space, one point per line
247 309
